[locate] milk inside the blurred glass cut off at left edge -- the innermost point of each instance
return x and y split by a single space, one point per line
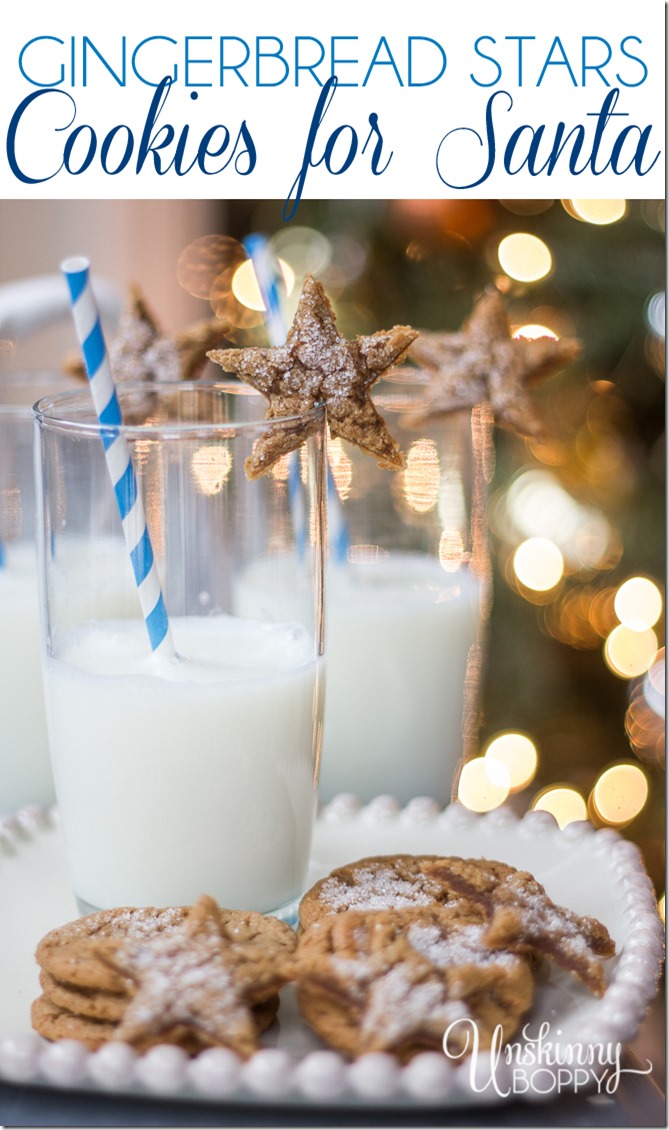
25 769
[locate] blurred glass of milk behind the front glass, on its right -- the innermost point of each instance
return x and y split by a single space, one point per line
409 596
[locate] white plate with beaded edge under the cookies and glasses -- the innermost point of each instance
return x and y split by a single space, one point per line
593 873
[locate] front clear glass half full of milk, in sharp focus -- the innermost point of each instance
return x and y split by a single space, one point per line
177 778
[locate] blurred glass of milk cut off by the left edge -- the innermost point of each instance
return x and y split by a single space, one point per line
25 768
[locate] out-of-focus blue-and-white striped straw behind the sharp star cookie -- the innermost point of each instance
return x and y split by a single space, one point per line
272 286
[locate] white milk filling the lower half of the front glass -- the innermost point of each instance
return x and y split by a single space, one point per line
177 779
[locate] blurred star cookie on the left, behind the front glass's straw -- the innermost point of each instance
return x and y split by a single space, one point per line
142 353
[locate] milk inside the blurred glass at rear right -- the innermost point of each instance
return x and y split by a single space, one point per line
399 632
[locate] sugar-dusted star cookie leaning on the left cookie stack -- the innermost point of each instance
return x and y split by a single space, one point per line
202 979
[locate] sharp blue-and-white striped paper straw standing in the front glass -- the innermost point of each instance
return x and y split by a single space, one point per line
121 471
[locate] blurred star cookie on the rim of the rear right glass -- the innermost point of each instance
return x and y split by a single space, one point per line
483 362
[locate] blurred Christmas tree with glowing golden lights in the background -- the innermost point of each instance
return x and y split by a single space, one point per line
577 663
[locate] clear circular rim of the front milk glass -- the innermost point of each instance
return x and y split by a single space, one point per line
46 412
